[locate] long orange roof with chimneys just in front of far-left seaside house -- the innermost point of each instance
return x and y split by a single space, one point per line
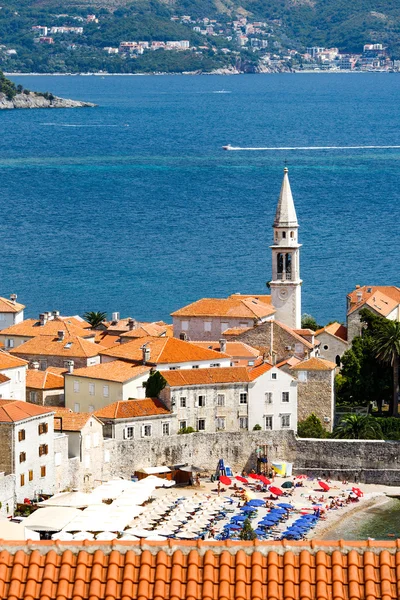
32 328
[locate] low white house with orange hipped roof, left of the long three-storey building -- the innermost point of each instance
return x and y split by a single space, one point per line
137 419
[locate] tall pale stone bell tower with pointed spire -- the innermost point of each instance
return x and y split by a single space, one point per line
286 283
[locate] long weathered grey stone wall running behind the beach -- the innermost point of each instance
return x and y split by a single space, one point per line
354 460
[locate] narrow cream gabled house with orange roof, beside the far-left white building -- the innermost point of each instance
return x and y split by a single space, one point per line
85 442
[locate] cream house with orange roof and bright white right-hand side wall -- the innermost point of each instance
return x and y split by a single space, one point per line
92 388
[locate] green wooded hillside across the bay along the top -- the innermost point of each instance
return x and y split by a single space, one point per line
289 24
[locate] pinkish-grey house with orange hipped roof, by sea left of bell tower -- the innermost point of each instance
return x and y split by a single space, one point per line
208 318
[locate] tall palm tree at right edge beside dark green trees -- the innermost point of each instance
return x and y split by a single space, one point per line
387 347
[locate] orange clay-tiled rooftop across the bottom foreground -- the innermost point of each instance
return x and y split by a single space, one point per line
200 571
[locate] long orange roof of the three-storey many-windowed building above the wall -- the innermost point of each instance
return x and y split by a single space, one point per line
186 377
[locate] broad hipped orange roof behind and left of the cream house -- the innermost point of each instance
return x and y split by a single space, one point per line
72 346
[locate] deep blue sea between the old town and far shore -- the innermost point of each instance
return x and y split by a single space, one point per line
133 206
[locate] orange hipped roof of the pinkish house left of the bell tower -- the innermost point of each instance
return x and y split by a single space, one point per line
234 307
